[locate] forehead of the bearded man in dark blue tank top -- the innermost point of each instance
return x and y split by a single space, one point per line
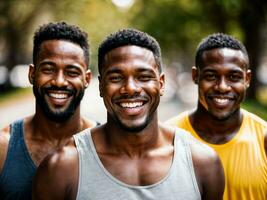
61 49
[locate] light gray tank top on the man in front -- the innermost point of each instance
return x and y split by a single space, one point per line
96 183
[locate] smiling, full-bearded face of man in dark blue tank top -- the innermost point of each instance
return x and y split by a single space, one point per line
59 78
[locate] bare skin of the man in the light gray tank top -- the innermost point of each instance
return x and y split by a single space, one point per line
131 86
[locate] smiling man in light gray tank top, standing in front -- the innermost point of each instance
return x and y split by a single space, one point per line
132 156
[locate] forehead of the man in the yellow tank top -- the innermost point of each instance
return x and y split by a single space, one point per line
224 56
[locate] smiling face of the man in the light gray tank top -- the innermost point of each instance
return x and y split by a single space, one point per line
131 86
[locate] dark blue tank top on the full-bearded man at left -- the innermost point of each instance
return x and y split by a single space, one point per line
19 169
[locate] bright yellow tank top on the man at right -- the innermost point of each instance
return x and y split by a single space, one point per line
243 158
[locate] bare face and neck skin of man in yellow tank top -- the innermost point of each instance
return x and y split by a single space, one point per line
222 77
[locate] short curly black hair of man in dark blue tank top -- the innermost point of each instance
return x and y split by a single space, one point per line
61 31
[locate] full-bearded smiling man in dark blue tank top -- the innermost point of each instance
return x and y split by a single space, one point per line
59 75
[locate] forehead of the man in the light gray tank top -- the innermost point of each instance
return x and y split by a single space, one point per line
129 56
